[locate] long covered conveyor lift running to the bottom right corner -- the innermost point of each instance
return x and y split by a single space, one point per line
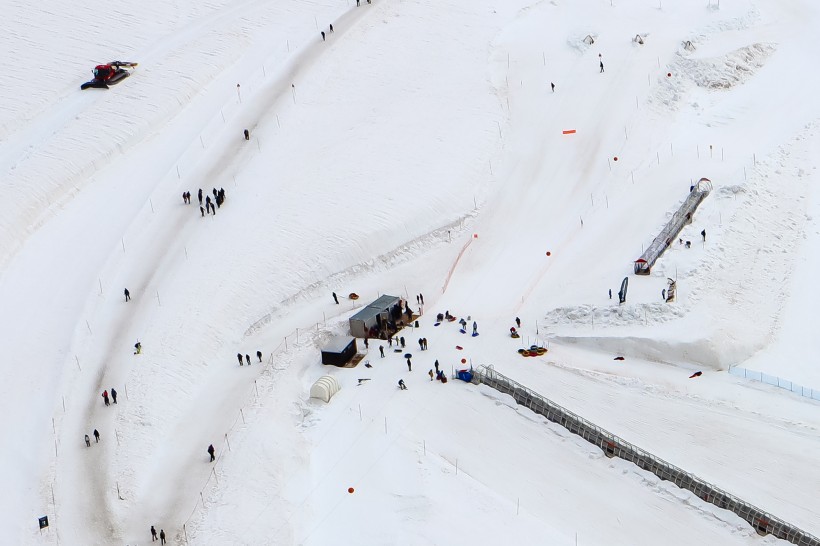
613 446
